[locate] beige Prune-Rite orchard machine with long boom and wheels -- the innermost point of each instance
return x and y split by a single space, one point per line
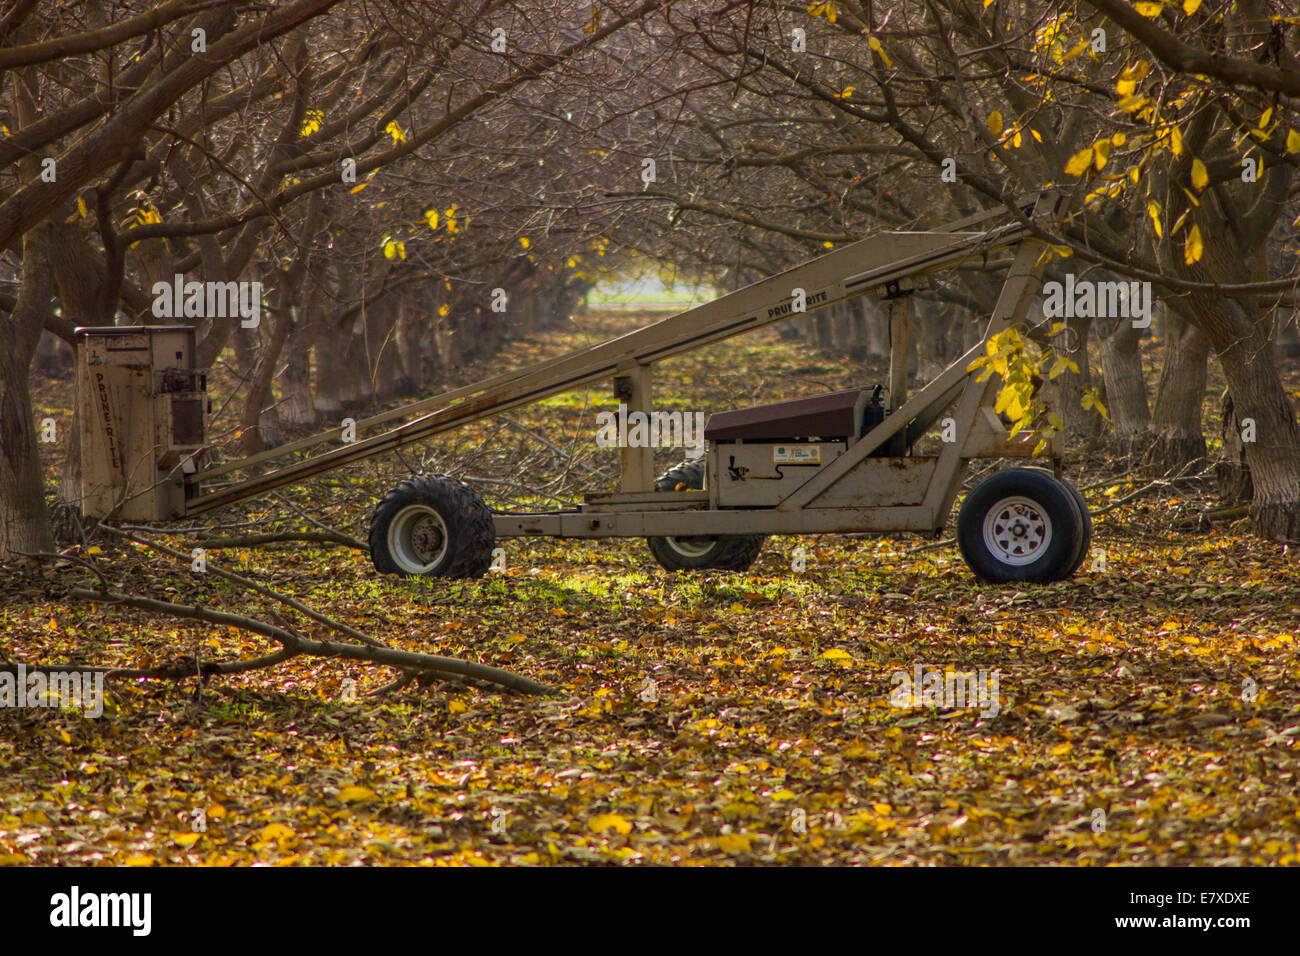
831 464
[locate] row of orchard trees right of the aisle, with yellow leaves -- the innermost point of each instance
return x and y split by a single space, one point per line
1172 126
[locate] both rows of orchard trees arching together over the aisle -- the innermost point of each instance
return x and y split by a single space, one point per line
413 183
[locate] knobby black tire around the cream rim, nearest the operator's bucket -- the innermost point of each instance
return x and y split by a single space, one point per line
470 534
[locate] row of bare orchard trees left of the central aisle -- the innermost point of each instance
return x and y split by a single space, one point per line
401 183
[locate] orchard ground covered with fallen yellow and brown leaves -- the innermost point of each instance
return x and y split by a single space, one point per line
709 719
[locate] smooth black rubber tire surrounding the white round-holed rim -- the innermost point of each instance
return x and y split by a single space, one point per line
1054 499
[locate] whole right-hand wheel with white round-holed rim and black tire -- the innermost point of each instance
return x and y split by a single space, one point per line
1021 526
